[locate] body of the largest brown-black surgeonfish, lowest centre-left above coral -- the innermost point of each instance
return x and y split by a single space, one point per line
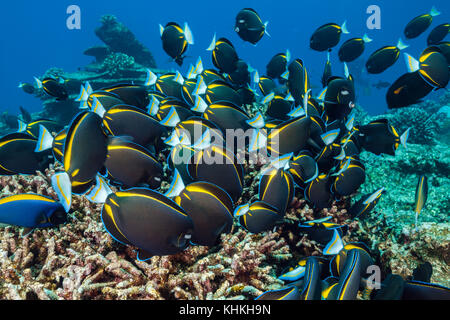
148 220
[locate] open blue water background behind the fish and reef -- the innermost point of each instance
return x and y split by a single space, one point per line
35 37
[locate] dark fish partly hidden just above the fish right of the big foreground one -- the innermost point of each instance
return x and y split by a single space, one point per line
219 166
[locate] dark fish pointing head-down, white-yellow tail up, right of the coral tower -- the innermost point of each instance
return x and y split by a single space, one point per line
175 40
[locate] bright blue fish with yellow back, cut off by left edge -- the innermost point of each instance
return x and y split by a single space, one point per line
31 211
